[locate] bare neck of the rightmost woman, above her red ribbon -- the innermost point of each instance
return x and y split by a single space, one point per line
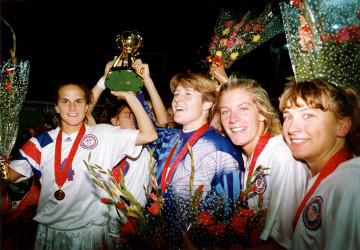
320 161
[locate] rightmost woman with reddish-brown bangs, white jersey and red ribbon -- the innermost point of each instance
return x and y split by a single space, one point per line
321 127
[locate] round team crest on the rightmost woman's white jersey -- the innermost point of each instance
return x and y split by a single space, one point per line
312 213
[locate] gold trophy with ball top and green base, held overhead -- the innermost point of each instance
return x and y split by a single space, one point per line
124 77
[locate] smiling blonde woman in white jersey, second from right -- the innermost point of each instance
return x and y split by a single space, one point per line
250 121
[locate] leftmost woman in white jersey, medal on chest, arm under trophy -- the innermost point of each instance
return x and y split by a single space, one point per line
69 212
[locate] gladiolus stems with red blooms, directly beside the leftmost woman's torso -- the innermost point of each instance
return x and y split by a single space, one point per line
137 228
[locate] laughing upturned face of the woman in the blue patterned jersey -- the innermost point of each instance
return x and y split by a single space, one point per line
189 110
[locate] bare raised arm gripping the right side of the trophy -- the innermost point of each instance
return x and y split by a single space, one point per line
143 70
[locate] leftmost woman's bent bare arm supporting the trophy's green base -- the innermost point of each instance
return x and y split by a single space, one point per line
147 132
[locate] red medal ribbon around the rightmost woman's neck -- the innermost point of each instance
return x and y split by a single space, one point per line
329 168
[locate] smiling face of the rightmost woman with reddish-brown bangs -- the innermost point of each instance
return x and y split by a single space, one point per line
310 133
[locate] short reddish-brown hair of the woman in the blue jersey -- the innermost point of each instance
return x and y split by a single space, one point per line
201 83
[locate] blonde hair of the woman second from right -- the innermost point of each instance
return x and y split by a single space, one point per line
260 97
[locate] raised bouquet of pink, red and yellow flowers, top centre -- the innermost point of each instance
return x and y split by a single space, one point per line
236 35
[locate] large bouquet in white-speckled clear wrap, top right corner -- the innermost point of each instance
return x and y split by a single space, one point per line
324 40
